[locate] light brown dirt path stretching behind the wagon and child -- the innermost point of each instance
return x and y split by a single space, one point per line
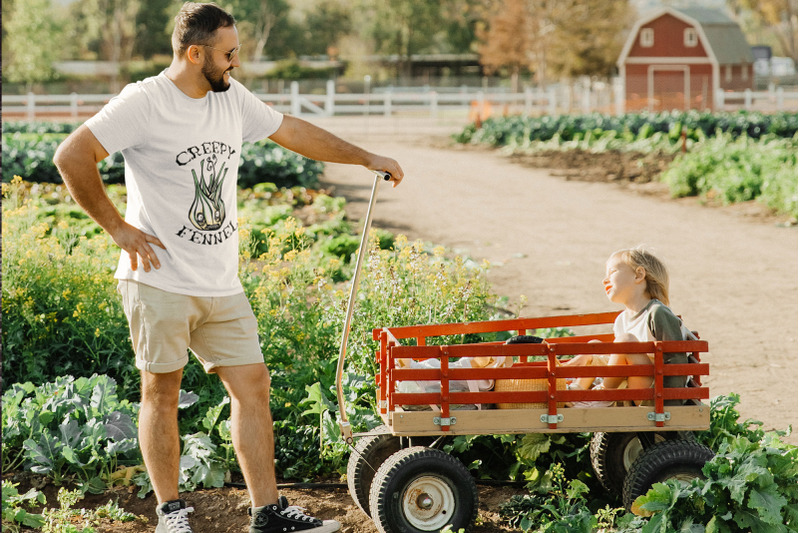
733 277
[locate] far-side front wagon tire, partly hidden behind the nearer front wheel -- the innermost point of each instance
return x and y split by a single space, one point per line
369 454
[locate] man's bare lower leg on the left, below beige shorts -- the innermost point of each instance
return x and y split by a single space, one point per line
158 431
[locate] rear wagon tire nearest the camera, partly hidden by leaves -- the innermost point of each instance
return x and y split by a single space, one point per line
675 459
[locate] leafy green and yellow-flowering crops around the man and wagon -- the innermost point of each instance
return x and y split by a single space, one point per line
70 390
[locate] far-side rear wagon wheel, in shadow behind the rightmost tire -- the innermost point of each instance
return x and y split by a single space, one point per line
613 454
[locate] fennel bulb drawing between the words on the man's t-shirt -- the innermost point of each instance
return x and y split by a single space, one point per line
208 209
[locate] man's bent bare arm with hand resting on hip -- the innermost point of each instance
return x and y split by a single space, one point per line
76 159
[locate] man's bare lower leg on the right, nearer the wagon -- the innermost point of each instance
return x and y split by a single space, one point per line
251 429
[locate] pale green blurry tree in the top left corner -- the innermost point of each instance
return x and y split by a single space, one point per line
32 41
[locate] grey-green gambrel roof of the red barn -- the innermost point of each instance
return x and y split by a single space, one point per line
722 35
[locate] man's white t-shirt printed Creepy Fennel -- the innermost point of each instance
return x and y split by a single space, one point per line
181 170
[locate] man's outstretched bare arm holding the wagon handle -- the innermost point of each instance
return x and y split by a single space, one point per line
315 143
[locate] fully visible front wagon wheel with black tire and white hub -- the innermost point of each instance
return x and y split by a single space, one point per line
422 490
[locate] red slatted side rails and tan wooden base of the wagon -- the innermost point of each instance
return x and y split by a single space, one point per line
655 409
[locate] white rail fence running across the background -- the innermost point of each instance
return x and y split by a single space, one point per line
562 99
